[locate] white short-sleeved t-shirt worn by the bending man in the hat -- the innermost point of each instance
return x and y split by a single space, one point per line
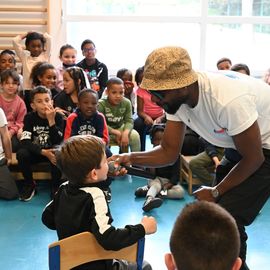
229 103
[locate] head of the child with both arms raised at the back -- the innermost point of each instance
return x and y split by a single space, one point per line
35 43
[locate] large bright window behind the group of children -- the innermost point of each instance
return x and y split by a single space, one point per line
126 31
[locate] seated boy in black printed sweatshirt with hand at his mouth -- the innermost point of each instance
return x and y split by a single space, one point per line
42 132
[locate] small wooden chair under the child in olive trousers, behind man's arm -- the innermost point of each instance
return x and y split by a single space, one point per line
186 173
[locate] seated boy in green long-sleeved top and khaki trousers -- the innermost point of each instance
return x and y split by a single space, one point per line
118 113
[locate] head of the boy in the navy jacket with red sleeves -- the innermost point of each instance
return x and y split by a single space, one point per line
87 102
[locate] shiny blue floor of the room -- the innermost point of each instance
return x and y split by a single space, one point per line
24 239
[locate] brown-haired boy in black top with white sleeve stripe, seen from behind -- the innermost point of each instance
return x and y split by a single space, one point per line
80 204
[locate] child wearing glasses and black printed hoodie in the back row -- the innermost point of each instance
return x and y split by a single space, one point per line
96 71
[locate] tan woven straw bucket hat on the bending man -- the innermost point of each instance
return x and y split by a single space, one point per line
168 68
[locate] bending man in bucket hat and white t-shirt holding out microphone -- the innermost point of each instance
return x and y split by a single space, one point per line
227 109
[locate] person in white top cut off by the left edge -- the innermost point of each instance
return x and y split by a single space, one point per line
8 188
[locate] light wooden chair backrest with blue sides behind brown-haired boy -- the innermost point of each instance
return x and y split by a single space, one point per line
83 247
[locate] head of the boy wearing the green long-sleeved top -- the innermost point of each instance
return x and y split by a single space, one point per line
115 90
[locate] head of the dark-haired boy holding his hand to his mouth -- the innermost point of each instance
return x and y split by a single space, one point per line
41 100
